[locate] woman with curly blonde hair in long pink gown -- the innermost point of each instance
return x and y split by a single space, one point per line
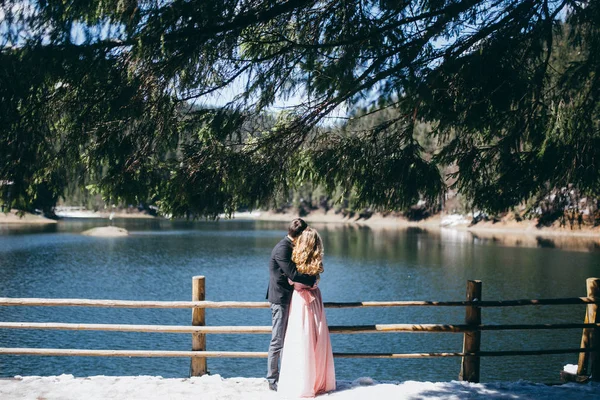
307 359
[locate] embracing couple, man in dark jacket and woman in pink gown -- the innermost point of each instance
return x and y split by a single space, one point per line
300 334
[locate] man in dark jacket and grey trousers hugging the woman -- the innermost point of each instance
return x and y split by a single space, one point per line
279 294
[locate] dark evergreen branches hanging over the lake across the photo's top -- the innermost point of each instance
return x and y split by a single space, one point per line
101 91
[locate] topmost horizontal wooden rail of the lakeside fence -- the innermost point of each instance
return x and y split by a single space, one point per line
7 301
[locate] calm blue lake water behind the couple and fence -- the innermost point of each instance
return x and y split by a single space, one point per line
158 260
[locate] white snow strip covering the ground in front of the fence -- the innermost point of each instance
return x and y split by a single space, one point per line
66 387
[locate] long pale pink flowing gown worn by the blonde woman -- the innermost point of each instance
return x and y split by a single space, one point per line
307 358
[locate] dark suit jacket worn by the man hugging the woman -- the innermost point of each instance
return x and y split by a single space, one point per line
281 267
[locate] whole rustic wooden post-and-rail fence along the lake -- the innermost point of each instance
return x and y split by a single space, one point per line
589 351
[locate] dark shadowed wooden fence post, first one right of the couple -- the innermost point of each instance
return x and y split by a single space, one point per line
469 370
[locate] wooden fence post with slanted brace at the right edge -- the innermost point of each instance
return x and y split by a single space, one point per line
591 337
